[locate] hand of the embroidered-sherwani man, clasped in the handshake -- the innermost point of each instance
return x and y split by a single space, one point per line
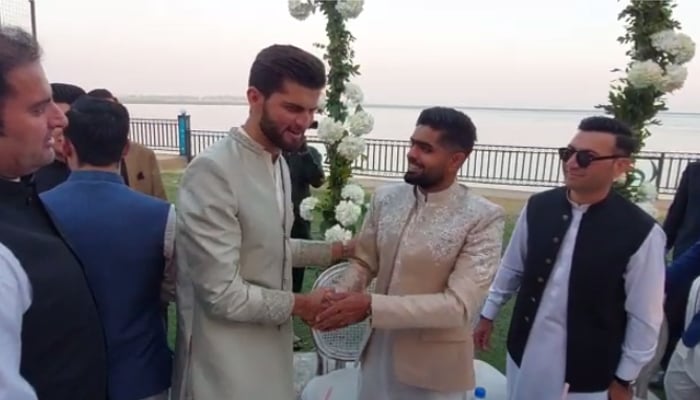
346 309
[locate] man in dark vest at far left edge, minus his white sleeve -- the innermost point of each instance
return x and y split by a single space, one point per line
63 345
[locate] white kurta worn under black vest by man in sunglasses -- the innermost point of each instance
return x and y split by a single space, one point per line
545 352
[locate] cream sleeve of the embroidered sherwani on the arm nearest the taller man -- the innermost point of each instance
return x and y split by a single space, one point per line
365 262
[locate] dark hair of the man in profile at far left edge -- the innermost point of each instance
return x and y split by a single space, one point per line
17 48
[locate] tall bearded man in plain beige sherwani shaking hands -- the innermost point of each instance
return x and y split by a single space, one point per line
234 249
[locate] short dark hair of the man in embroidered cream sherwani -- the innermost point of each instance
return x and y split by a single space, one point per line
458 130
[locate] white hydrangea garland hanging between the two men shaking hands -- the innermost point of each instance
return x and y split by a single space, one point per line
344 123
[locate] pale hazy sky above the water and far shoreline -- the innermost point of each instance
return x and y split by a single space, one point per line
510 53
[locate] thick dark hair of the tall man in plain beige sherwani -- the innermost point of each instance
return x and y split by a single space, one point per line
279 63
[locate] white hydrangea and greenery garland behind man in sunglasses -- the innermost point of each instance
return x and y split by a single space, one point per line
658 55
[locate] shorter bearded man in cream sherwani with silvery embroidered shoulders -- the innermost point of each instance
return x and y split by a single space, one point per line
434 247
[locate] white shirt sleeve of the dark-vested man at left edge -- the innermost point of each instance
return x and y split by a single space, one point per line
15 298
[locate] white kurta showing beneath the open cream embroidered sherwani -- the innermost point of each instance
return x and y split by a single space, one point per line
378 380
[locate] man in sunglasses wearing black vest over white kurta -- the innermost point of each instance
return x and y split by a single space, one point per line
588 268
